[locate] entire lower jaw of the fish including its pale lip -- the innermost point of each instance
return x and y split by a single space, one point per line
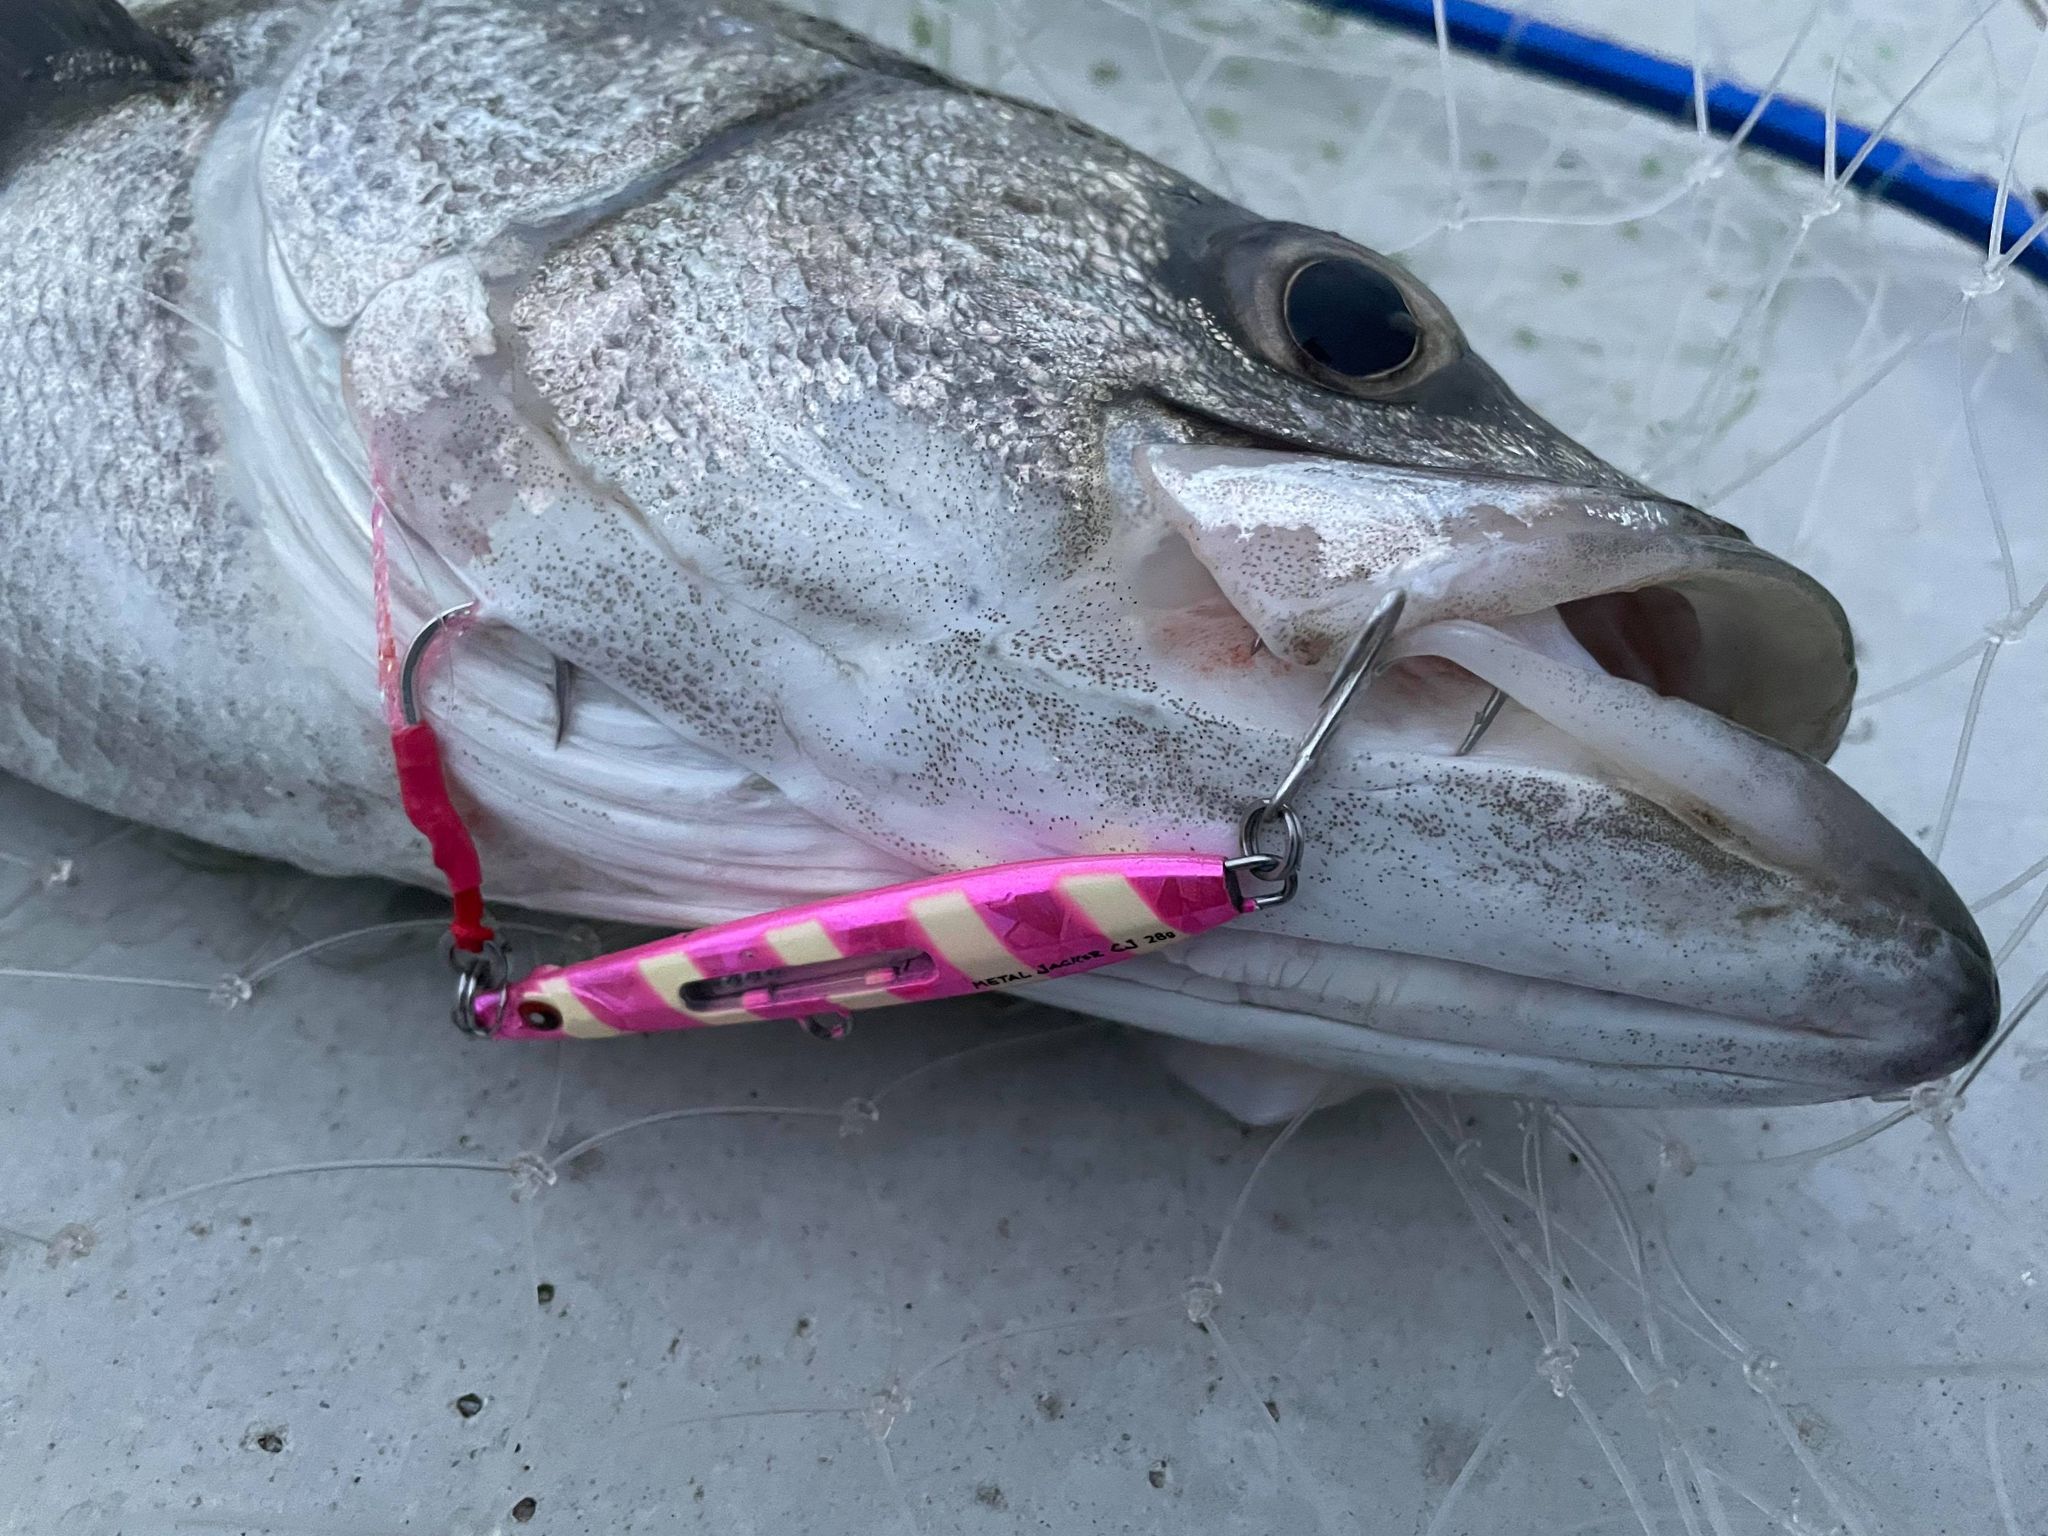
1660 906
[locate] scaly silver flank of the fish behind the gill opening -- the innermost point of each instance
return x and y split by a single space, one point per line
140 628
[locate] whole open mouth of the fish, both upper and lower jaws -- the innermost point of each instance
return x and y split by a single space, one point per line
1639 886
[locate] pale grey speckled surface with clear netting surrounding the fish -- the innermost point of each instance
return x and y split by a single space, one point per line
284 1254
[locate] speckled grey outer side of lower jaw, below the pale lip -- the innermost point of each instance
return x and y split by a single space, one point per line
1490 927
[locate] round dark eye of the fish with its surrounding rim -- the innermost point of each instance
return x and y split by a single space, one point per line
1330 312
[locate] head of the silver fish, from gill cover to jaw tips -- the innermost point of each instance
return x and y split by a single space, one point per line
992 493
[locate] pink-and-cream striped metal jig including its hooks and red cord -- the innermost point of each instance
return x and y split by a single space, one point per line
820 964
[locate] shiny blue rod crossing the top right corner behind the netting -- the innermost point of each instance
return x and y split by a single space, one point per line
1785 128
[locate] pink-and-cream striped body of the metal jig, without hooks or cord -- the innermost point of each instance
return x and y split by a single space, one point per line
941 937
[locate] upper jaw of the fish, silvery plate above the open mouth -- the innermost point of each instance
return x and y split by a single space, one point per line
1302 548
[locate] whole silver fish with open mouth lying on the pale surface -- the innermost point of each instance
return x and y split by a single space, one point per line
855 476
